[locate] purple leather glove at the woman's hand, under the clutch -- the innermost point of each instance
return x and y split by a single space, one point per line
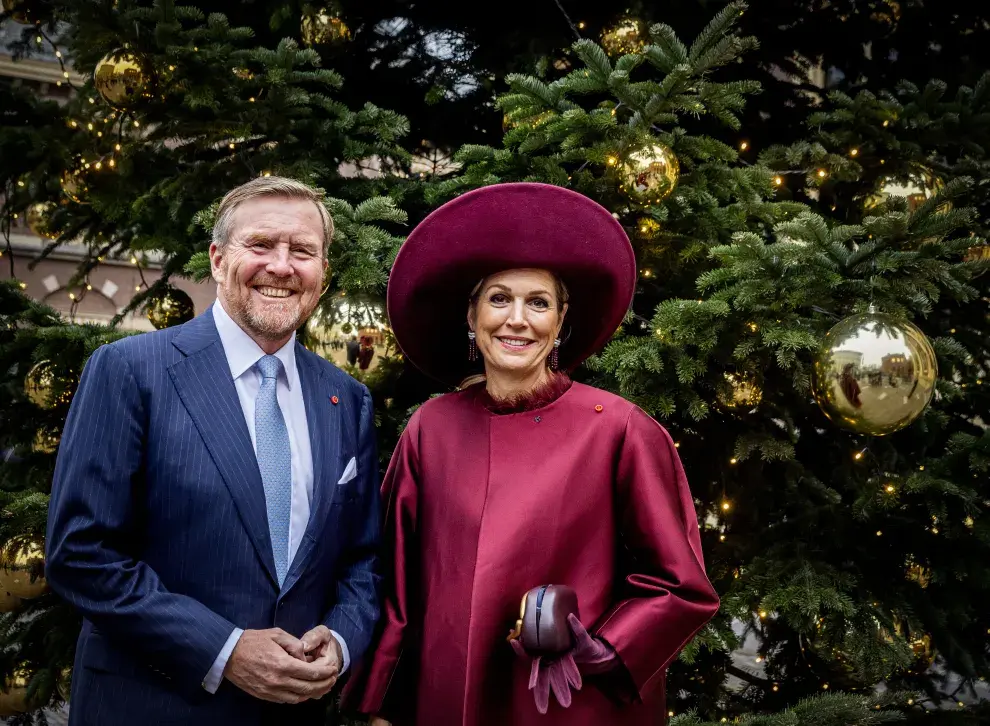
561 673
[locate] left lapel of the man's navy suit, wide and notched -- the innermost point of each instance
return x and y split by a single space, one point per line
206 389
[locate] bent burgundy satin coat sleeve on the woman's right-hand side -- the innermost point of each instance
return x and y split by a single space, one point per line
667 595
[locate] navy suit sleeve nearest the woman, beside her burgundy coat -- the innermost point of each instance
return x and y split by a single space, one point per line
357 605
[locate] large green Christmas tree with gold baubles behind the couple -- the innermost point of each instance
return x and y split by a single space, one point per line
852 560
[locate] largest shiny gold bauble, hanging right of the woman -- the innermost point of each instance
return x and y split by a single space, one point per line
874 374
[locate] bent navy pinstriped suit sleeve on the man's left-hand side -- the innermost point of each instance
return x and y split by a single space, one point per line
90 558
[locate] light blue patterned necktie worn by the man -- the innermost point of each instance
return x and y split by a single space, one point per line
275 461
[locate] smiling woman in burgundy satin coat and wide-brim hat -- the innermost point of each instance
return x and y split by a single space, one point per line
526 479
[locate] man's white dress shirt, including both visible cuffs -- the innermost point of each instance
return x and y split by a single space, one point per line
242 355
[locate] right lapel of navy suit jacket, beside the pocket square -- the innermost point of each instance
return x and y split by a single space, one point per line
323 420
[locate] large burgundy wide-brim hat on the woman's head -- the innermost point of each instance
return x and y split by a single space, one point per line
503 227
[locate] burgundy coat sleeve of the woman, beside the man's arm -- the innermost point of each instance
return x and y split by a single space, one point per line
369 691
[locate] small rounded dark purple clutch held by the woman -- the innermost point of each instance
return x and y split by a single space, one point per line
542 625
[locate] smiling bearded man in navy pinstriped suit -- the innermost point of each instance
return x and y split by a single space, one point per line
214 513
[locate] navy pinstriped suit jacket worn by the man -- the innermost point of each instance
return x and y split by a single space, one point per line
158 532
